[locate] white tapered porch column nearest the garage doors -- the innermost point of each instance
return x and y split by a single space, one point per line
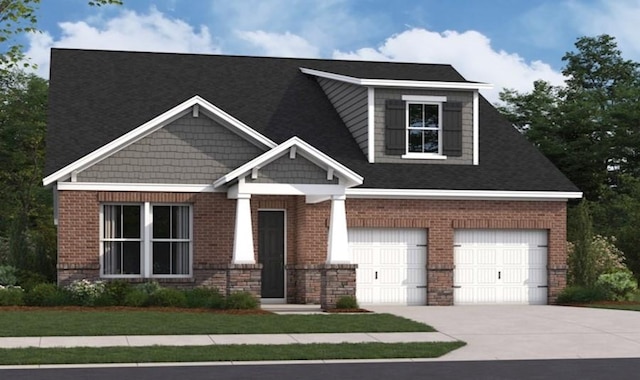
338 245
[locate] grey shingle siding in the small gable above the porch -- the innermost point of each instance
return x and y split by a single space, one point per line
297 171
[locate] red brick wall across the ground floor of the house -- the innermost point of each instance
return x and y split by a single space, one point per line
307 229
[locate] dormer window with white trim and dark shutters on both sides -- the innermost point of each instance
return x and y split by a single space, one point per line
423 127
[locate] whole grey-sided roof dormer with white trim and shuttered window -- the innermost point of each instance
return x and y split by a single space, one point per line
405 120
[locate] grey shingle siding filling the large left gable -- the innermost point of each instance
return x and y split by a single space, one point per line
187 151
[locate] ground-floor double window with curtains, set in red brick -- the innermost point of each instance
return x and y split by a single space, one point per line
145 240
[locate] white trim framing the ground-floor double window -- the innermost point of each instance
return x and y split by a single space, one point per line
146 229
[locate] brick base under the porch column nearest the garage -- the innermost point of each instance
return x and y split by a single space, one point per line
336 280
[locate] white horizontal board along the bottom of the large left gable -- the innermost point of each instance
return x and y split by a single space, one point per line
151 187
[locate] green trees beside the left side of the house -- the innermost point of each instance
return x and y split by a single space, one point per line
25 206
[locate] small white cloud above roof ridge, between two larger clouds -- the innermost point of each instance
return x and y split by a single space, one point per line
280 44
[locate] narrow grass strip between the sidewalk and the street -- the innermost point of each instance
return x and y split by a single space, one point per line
25 356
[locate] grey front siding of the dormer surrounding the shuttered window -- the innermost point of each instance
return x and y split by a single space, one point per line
464 97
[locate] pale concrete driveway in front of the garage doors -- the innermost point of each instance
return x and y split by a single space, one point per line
530 332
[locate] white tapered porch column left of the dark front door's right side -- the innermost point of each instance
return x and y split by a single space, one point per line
243 236
